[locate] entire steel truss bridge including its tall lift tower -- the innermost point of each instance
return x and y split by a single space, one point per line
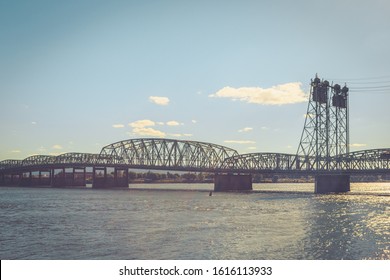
323 149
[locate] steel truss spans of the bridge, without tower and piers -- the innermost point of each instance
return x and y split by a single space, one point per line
193 156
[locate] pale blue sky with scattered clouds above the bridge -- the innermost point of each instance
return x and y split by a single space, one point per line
78 75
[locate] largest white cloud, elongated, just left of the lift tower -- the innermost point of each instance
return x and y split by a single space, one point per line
277 95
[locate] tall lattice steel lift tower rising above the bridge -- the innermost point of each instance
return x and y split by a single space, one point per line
325 135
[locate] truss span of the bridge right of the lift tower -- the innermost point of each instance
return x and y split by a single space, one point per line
376 159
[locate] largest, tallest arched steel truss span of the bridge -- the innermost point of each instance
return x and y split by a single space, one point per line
168 154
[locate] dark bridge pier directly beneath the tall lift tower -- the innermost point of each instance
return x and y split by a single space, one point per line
332 183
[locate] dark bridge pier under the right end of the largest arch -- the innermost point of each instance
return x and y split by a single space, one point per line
232 182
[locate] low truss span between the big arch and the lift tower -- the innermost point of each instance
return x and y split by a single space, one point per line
264 162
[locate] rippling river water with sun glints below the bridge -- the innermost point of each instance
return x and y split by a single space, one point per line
276 221
